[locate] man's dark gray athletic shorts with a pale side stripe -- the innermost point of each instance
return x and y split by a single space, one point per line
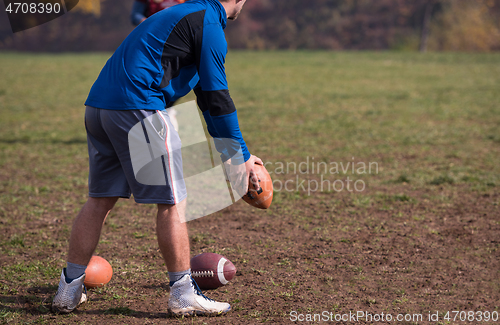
134 152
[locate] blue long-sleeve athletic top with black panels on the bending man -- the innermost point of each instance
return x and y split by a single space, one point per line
169 54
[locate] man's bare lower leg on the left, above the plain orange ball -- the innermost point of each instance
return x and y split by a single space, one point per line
87 229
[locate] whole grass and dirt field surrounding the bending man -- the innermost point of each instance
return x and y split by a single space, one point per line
419 233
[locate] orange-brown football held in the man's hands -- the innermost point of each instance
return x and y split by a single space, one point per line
260 195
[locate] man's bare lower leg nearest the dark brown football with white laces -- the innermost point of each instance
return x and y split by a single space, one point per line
173 236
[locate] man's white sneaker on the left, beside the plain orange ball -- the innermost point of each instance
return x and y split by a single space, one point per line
69 295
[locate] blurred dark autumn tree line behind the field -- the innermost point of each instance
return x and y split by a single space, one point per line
436 25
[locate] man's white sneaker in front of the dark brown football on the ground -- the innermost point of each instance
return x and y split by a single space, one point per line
186 299
